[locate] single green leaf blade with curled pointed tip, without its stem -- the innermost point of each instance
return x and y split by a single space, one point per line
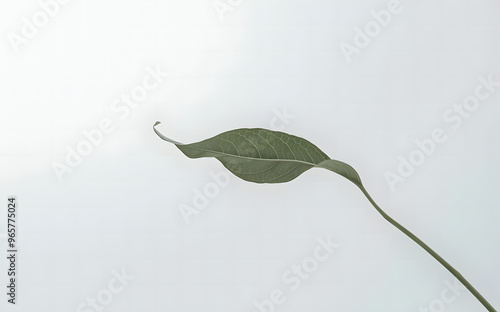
264 156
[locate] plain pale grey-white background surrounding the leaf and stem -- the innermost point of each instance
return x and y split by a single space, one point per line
119 209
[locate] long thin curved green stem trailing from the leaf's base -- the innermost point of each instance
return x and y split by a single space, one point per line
452 270
